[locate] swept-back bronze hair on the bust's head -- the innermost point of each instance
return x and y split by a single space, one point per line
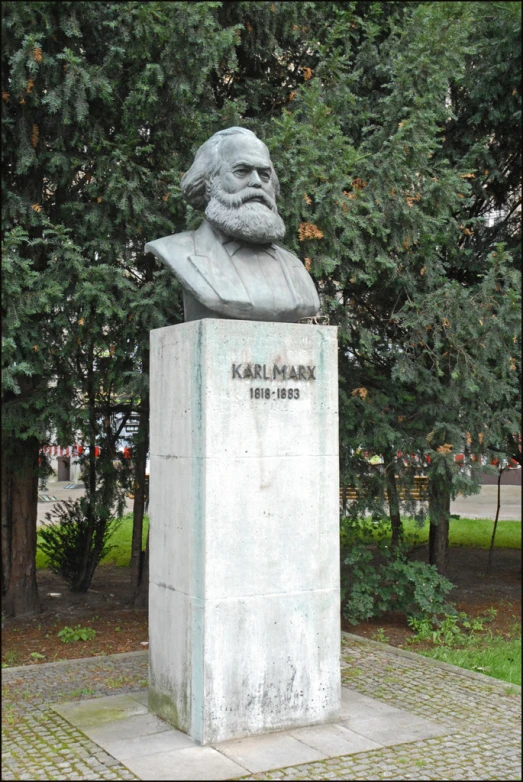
195 182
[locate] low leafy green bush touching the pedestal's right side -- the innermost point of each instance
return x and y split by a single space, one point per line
377 579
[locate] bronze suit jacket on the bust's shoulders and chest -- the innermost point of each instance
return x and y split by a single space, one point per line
207 273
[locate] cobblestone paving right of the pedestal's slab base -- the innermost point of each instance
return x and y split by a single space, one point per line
484 715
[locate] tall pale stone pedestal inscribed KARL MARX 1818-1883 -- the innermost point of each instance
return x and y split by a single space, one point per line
244 605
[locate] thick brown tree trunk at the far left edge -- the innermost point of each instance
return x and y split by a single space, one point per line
19 515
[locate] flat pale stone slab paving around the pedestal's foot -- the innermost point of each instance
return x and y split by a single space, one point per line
115 725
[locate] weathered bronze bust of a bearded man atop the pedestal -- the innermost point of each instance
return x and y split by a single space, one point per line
232 266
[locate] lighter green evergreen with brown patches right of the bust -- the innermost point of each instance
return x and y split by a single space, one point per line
378 210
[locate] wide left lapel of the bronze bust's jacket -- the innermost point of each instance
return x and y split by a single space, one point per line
214 264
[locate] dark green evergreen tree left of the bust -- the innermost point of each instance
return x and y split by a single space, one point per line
100 106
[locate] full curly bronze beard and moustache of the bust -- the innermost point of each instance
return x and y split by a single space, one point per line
244 219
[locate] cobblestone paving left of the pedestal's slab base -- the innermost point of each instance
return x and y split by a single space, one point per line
39 744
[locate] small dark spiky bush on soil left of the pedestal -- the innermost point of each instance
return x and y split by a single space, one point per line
63 538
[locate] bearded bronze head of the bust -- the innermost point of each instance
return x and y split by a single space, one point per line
232 177
